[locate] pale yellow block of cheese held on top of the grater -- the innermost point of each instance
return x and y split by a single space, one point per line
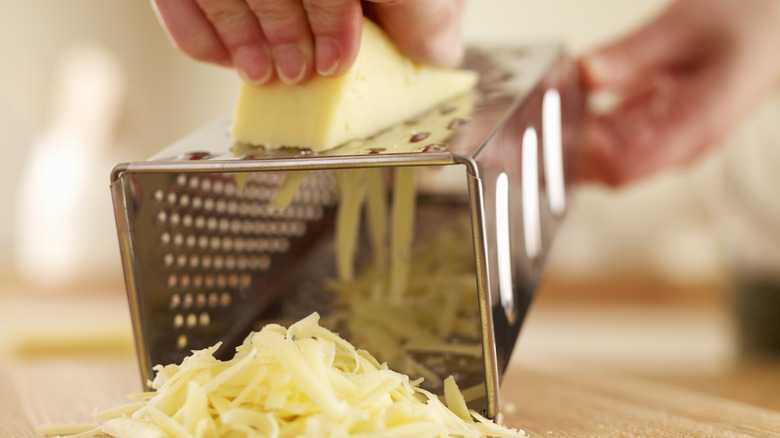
381 89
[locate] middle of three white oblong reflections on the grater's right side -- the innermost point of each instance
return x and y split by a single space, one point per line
531 218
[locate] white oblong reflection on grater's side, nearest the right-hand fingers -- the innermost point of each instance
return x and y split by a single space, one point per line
553 151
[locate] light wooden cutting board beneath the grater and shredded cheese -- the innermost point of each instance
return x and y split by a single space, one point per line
546 403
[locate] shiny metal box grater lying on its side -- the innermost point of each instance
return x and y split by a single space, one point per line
206 259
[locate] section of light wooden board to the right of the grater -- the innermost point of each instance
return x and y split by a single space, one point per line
571 404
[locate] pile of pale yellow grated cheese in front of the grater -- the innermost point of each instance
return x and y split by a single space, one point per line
301 381
